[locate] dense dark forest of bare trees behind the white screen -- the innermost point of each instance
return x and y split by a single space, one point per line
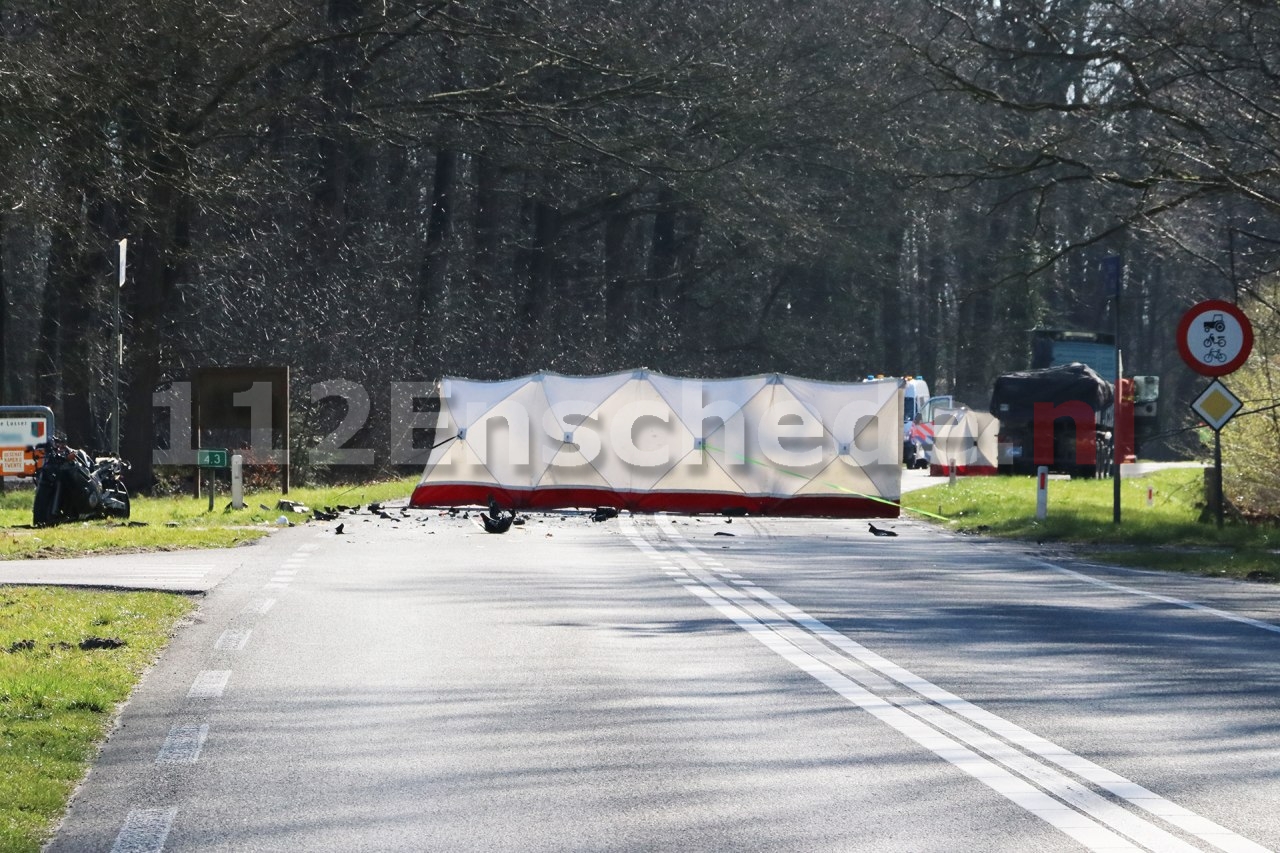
387 191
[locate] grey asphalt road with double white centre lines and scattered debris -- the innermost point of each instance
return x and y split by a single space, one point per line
648 685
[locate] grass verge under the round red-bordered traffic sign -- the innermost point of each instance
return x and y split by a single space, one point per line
1167 535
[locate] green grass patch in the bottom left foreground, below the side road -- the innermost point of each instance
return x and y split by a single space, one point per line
67 660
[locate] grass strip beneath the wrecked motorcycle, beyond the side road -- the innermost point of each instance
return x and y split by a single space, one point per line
173 523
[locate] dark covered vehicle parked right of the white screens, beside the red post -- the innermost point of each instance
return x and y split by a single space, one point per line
1071 407
